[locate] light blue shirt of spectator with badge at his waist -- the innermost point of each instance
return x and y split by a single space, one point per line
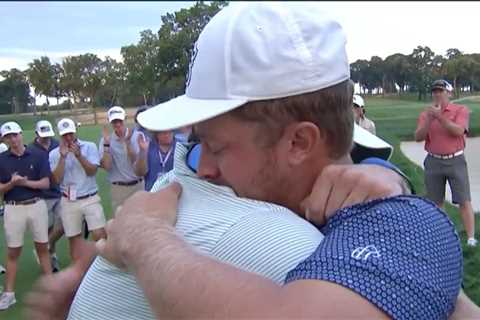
74 174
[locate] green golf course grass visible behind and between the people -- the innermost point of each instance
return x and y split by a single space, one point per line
395 120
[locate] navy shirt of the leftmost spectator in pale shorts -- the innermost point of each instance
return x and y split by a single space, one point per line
31 164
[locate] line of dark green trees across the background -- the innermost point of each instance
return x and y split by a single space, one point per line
154 69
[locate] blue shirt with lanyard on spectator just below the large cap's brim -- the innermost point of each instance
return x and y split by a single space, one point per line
159 162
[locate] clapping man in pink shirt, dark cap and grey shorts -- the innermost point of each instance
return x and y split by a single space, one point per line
444 126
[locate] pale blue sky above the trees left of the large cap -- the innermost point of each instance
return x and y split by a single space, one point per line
31 29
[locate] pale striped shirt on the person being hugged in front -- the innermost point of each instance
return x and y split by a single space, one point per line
255 236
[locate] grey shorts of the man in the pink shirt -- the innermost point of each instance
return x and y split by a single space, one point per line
439 171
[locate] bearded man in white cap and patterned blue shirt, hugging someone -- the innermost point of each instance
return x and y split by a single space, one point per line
276 114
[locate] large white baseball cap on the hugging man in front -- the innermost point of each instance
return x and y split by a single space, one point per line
255 51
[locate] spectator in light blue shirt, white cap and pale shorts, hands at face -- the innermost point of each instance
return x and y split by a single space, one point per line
74 164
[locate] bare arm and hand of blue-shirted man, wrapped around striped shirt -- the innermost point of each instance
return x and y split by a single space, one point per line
160 260
